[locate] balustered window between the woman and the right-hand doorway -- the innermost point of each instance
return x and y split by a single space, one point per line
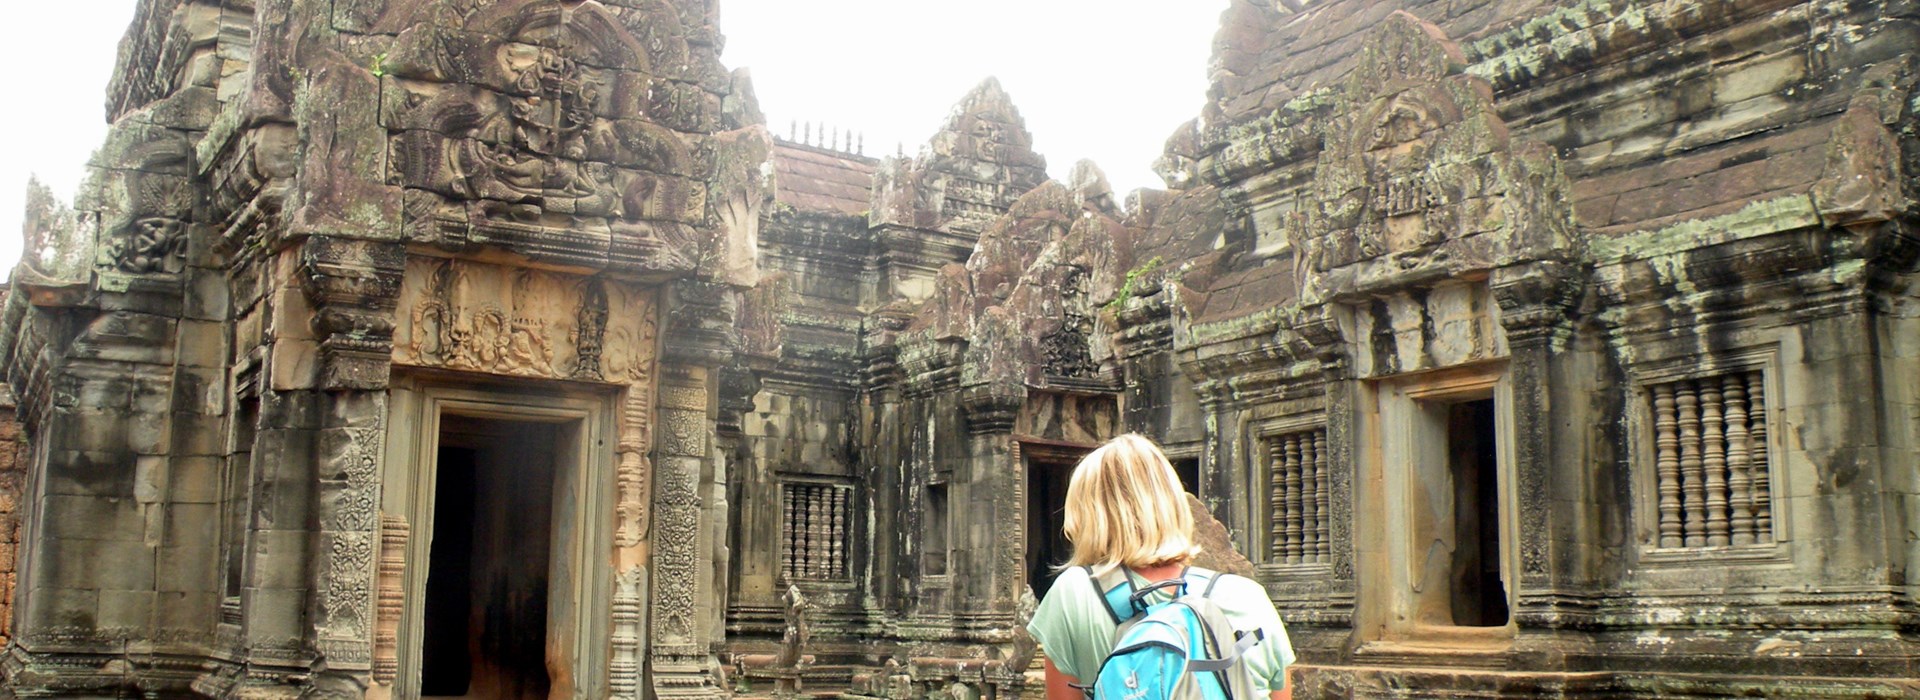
1299 498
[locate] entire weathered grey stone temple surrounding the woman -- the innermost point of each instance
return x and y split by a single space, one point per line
498 350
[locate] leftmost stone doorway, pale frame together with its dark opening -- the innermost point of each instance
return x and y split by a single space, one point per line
506 590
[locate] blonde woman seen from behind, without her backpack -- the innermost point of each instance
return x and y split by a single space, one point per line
1126 511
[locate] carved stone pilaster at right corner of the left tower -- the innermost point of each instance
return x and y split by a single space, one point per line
688 494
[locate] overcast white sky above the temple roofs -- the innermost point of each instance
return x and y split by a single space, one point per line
1097 80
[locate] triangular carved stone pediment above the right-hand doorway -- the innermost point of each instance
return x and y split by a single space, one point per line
1420 179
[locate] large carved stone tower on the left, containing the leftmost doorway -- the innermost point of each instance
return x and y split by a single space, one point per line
354 344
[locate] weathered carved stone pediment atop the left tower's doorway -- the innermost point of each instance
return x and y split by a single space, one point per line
542 128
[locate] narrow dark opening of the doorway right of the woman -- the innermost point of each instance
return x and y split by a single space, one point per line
1474 459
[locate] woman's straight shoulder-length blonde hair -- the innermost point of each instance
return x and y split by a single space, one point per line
1126 507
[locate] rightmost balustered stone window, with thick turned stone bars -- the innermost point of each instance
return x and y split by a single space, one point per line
1712 461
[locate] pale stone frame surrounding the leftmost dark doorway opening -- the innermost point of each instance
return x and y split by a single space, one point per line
581 574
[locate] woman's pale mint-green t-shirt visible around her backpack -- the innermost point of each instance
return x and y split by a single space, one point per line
1076 628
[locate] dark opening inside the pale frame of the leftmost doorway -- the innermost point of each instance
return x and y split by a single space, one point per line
491 559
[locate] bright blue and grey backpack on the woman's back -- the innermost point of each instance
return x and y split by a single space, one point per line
1180 649
